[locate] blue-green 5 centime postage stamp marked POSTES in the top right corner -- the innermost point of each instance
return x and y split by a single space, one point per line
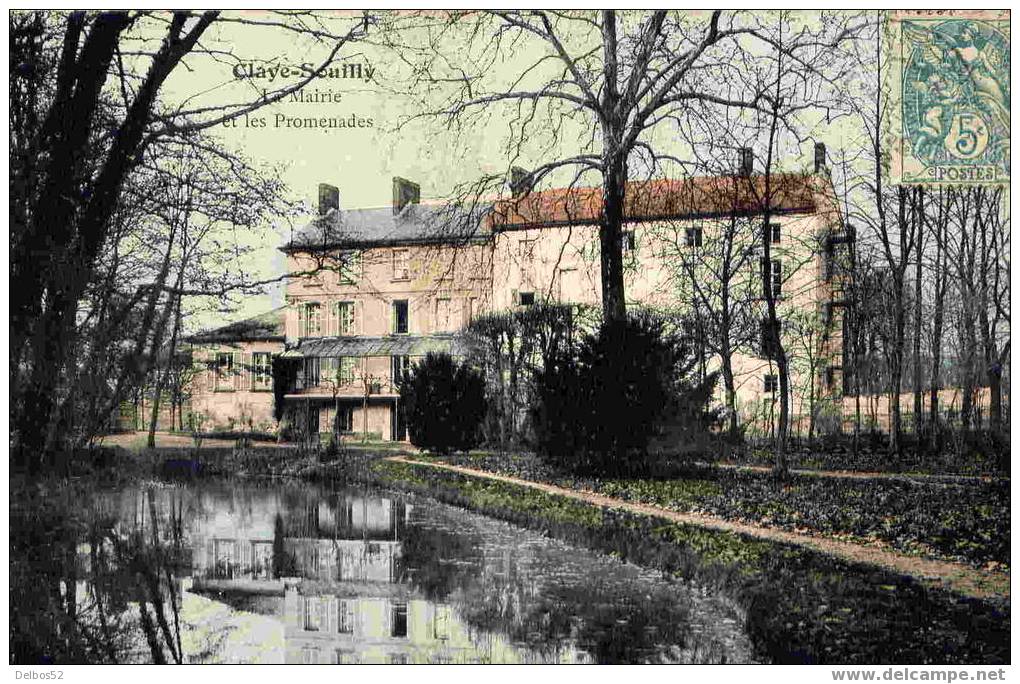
948 84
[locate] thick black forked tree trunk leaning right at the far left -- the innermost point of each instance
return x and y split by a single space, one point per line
67 277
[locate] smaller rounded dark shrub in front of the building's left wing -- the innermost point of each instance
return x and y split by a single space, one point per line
444 404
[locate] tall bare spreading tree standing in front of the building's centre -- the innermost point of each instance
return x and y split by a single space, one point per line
608 79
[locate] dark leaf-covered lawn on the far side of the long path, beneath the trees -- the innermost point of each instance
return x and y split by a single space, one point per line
957 521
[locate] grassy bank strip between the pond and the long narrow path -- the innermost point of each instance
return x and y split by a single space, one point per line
801 606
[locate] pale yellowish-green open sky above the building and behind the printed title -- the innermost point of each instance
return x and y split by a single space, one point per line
362 162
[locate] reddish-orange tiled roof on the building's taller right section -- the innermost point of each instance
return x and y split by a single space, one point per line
664 199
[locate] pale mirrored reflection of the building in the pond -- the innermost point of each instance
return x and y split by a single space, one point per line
338 565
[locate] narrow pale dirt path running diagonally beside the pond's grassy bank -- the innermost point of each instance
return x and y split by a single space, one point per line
958 577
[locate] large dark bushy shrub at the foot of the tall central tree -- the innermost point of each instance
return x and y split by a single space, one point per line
597 408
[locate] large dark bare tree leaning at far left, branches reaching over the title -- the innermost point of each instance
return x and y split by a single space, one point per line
83 129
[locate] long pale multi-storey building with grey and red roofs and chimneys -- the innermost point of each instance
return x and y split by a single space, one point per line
376 289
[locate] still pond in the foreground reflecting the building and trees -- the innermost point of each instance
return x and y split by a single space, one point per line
287 572
